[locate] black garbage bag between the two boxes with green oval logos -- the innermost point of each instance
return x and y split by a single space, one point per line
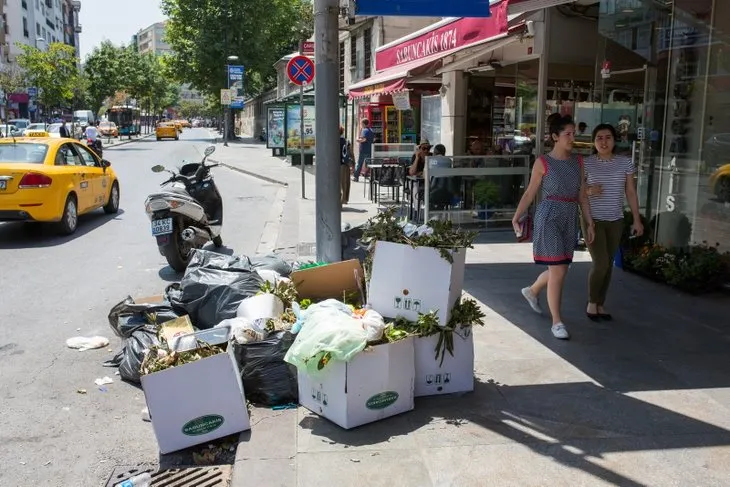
267 379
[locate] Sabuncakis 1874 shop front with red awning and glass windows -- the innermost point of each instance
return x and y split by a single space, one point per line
658 71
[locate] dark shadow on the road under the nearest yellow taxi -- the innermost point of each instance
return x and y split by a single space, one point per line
26 235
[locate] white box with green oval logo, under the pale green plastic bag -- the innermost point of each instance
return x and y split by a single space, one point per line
376 384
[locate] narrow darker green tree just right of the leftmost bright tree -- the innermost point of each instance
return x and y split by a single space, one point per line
103 71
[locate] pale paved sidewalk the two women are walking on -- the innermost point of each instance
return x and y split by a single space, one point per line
643 400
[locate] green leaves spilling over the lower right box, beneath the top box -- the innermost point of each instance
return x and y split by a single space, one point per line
464 315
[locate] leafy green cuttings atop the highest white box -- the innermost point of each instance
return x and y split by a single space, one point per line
447 238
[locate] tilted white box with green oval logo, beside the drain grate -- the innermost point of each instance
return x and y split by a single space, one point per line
196 402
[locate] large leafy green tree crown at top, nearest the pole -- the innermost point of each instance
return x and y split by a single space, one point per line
203 33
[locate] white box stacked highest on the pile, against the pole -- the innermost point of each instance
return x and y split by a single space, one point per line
407 280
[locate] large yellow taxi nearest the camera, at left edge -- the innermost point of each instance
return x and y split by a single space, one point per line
44 179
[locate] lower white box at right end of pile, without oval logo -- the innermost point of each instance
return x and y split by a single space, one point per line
455 374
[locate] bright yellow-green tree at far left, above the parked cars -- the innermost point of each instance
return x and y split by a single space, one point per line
53 71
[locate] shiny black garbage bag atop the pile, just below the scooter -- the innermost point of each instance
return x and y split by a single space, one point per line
212 288
